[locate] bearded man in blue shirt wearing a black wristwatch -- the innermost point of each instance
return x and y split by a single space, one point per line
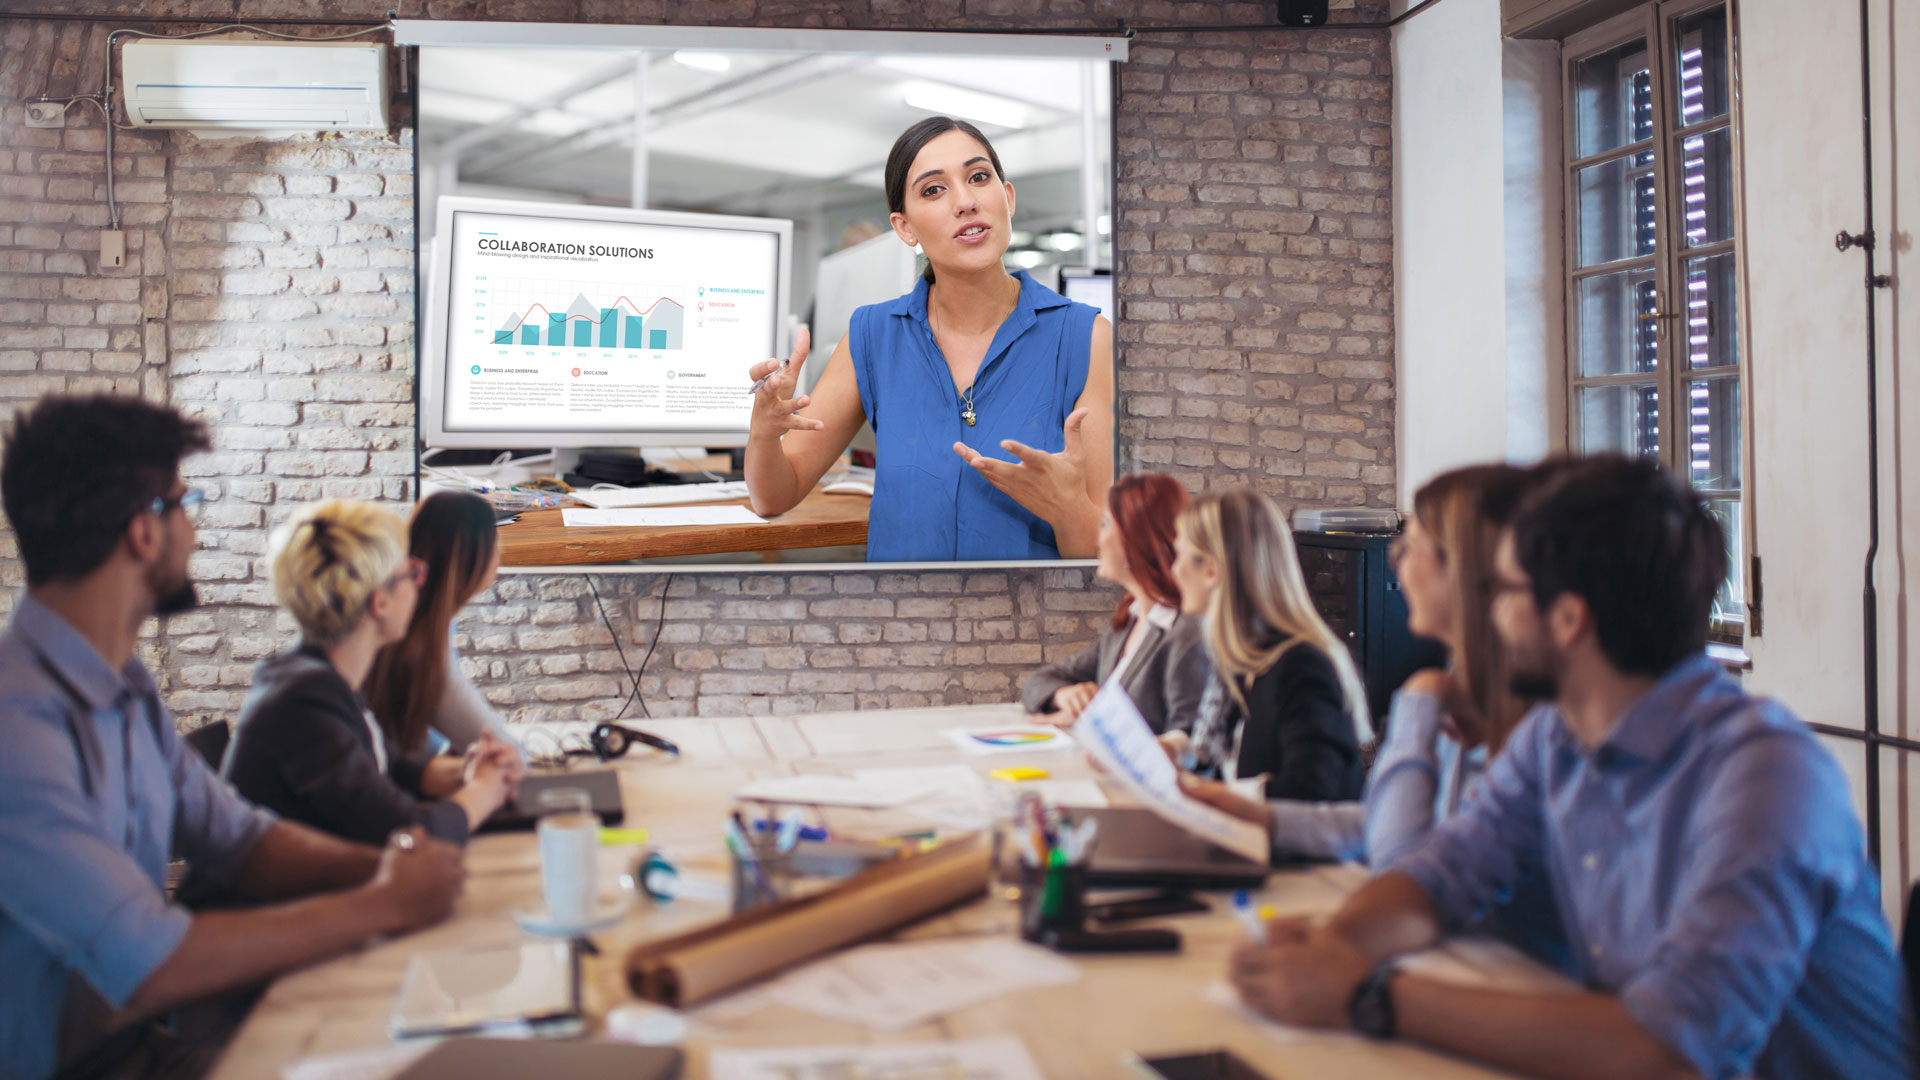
1704 854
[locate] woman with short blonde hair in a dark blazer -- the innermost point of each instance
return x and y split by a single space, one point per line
306 745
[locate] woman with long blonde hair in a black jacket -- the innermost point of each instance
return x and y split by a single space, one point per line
1287 700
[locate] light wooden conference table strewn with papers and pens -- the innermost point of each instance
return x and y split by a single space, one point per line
1122 1004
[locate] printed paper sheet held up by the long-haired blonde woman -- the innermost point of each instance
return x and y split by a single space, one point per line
1118 737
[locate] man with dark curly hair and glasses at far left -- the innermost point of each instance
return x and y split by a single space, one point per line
99 793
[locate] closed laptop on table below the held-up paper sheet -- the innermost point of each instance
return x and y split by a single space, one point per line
1141 848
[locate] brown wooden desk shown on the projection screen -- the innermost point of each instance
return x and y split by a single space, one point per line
821 522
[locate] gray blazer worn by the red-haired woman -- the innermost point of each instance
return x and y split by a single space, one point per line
1170 674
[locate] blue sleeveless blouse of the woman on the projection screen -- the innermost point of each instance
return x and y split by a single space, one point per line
930 504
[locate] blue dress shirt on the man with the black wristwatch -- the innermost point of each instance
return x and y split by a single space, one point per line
1708 870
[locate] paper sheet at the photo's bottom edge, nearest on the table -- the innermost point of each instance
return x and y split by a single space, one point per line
1003 1058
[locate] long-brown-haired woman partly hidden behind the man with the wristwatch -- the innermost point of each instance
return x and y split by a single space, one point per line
1443 725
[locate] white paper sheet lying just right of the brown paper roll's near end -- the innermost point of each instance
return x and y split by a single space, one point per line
898 987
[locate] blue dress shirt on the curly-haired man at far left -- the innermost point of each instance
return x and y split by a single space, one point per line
97 795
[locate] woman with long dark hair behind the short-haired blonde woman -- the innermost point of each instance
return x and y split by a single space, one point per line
418 685
